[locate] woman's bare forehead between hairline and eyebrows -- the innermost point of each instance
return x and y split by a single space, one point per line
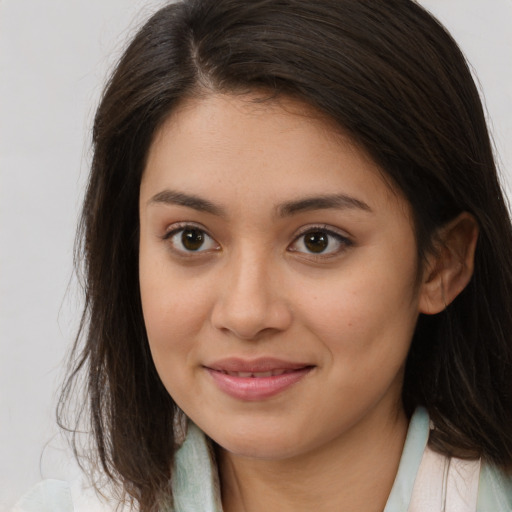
247 144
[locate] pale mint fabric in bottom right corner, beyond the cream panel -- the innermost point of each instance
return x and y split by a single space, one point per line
494 490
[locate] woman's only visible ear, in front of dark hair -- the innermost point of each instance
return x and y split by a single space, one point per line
449 268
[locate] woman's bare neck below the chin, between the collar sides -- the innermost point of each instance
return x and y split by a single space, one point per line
354 472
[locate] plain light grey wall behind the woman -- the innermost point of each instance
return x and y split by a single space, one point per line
54 57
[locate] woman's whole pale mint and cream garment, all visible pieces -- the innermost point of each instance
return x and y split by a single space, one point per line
425 482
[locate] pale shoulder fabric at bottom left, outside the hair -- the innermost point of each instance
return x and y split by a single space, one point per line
62 496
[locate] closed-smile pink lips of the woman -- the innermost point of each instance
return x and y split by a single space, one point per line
258 379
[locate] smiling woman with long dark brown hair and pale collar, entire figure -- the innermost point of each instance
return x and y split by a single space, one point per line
297 266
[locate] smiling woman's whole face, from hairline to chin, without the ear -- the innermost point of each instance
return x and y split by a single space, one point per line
277 276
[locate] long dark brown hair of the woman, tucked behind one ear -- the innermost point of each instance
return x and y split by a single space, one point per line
392 77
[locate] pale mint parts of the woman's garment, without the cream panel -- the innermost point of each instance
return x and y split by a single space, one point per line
195 485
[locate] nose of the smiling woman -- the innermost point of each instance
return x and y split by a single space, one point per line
251 303
